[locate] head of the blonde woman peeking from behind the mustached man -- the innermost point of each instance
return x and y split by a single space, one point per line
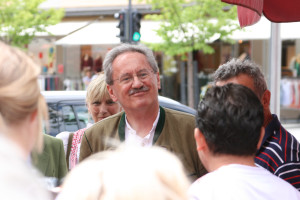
98 101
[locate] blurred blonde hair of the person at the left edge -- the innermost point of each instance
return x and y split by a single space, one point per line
19 90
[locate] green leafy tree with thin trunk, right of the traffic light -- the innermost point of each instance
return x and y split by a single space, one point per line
188 26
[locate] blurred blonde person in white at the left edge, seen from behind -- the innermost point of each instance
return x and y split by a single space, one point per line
22 108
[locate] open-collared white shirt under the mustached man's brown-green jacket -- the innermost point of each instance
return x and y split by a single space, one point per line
132 138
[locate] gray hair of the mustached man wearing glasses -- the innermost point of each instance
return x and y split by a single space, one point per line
123 48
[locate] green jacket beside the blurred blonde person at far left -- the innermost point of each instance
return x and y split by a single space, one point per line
52 161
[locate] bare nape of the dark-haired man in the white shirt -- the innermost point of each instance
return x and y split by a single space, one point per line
216 162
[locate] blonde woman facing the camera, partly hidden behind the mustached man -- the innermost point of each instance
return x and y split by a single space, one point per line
100 106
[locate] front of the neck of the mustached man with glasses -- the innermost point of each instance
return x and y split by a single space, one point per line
142 121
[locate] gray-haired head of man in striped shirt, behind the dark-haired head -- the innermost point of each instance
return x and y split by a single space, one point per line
245 73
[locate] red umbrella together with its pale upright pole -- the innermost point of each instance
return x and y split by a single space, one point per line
249 12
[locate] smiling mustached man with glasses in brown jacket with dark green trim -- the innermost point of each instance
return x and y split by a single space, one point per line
132 79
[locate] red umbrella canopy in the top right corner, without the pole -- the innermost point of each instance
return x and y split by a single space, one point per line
250 11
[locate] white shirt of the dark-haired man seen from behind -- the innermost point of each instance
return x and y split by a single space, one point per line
236 182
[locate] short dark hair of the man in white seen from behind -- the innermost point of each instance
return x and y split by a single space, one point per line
230 118
